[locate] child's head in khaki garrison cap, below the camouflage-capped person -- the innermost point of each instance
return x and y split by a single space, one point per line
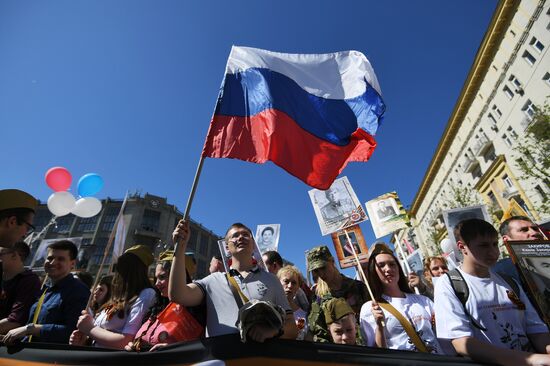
341 322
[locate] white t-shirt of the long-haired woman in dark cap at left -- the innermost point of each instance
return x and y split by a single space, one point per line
129 324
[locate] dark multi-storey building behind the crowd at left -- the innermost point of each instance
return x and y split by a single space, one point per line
149 220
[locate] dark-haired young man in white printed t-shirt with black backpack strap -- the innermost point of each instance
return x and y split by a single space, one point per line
495 325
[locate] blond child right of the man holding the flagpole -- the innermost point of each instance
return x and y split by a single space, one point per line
291 279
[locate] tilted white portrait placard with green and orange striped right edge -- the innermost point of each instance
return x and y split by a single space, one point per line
386 214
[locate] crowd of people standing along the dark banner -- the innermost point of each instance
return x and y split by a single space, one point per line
478 309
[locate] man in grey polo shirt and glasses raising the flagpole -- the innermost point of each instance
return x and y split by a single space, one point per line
222 300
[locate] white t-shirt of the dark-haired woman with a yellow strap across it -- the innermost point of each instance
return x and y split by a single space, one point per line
417 309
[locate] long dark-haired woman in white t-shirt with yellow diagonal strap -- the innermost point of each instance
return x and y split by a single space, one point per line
389 285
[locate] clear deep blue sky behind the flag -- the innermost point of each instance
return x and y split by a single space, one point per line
126 89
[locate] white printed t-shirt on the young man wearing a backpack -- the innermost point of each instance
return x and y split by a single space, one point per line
488 303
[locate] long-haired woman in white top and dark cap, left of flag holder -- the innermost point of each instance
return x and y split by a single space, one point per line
132 296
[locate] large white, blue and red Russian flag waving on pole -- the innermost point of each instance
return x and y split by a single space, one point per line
308 113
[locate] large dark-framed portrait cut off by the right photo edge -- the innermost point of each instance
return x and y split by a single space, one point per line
532 258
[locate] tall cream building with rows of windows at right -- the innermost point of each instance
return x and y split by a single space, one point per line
476 160
